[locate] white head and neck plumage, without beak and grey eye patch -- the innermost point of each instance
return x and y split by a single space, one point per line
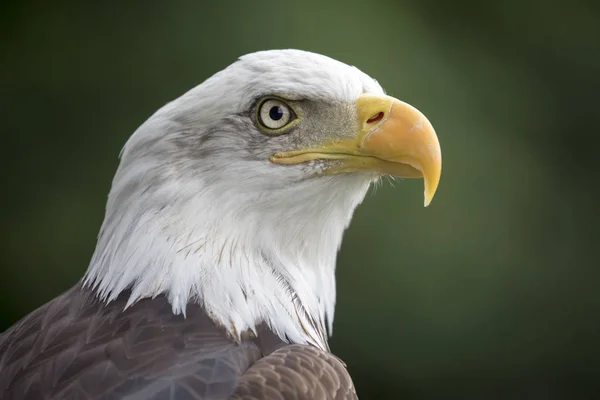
196 214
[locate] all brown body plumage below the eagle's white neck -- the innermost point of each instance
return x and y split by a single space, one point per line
76 347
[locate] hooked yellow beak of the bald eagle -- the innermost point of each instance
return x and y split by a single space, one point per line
393 138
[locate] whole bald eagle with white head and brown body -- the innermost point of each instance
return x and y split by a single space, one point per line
214 271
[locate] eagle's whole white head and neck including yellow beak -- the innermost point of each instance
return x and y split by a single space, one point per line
236 194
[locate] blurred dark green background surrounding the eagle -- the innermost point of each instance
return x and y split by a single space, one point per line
490 293
